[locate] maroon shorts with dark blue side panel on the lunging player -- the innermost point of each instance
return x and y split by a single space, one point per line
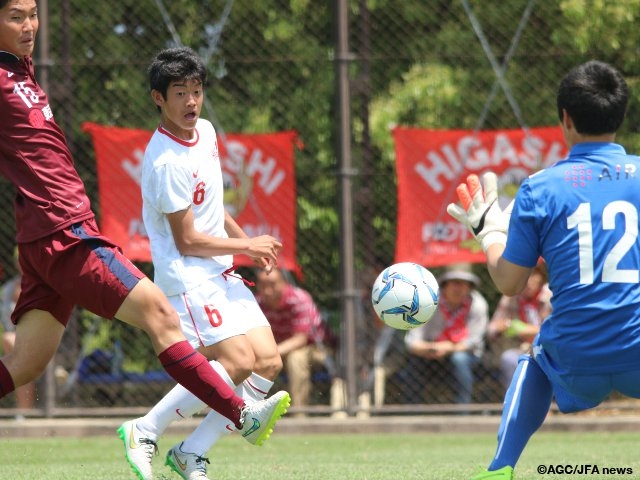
74 266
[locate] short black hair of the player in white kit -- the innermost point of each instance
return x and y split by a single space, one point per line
171 64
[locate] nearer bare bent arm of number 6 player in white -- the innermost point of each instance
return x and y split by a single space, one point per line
190 241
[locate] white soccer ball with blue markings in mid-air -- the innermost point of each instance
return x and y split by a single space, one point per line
405 295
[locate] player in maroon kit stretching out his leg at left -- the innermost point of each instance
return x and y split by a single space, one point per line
65 259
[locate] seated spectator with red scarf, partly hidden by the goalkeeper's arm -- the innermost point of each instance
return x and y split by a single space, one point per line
517 320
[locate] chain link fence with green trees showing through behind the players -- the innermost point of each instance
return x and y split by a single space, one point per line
463 64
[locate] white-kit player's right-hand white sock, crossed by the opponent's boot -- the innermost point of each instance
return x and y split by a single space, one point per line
215 426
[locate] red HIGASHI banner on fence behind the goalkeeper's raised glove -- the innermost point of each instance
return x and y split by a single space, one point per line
431 163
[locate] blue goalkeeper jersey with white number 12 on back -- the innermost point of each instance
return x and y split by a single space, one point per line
581 216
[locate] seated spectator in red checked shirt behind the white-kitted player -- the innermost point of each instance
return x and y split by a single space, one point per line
303 338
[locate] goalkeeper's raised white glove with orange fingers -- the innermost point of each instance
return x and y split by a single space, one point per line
479 210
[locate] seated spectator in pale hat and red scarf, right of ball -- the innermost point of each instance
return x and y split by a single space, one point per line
453 338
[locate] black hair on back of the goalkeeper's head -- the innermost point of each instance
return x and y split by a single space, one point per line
595 96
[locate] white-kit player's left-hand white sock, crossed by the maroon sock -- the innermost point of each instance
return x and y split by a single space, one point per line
179 403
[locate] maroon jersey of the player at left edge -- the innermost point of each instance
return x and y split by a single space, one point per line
34 156
